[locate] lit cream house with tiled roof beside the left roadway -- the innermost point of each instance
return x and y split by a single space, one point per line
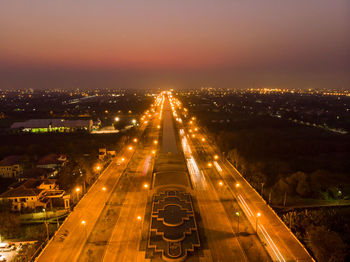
34 194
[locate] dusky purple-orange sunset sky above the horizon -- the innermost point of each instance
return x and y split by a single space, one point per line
160 43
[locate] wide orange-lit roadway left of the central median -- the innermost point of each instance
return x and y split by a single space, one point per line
116 200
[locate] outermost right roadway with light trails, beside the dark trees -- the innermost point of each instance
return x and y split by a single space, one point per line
280 242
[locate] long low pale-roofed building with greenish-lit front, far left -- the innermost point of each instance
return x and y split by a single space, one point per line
53 125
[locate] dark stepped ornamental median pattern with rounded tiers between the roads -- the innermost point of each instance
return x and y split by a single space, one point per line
173 228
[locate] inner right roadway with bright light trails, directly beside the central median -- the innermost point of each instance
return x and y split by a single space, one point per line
219 228
